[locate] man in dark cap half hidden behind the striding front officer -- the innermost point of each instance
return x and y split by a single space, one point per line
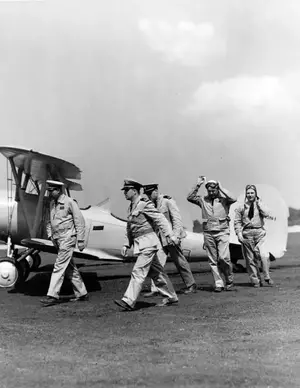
168 207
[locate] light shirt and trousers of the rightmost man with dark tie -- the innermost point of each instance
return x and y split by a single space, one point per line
254 236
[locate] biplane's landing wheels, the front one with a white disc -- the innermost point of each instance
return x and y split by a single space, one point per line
14 270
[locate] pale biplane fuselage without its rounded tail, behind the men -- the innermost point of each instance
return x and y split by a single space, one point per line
106 232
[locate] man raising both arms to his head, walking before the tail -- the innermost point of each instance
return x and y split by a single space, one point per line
215 216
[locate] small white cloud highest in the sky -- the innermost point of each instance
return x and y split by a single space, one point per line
185 42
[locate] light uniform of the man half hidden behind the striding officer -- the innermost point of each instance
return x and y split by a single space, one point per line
168 207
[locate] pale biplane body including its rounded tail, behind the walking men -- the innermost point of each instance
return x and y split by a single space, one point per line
106 232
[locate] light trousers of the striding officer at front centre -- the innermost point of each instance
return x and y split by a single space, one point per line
147 264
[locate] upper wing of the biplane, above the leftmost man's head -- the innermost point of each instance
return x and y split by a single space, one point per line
42 167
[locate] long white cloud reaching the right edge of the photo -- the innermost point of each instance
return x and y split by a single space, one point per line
259 100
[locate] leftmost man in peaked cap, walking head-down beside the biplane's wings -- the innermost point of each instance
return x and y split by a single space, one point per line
65 227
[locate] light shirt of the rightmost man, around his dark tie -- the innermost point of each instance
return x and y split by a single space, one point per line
242 221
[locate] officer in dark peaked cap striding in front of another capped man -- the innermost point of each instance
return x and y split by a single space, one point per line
142 218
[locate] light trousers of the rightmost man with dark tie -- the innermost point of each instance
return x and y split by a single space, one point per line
254 253
